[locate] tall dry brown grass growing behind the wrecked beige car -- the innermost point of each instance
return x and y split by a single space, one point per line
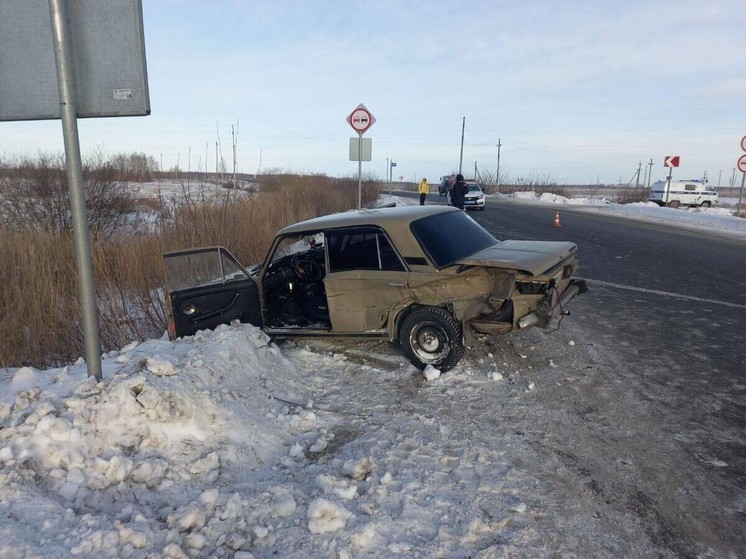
39 308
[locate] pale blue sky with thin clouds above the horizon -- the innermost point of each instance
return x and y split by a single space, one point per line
574 90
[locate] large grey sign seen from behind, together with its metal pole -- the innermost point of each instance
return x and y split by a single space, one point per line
68 59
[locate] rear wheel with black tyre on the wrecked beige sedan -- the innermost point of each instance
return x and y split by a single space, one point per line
431 336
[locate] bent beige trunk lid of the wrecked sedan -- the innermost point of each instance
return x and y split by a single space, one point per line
533 257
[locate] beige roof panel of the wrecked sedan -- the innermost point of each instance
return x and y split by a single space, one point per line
391 219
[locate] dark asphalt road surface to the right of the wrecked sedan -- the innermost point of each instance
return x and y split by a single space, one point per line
657 421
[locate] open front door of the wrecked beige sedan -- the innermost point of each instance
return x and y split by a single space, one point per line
207 287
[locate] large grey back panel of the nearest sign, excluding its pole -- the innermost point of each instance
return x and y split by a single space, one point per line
107 50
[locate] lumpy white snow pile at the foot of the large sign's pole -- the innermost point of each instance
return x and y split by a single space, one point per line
154 457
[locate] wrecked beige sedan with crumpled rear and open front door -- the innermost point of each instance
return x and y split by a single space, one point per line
419 276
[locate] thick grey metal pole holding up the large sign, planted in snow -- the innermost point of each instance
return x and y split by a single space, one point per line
68 106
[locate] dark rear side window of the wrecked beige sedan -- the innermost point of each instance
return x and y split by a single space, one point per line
361 249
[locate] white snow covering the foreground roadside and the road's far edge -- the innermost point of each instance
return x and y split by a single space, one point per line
225 444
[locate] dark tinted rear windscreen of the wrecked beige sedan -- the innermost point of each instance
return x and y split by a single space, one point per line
449 237
